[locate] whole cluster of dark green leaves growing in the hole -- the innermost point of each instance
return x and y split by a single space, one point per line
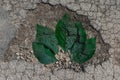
69 35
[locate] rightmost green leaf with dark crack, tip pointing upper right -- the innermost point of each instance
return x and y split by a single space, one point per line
81 54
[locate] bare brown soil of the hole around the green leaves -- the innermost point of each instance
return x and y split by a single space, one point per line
47 15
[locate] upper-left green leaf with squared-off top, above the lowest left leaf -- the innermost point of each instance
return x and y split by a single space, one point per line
47 37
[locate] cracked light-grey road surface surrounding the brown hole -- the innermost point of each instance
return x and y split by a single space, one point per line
104 16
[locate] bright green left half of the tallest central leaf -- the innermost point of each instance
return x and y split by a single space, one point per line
62 31
